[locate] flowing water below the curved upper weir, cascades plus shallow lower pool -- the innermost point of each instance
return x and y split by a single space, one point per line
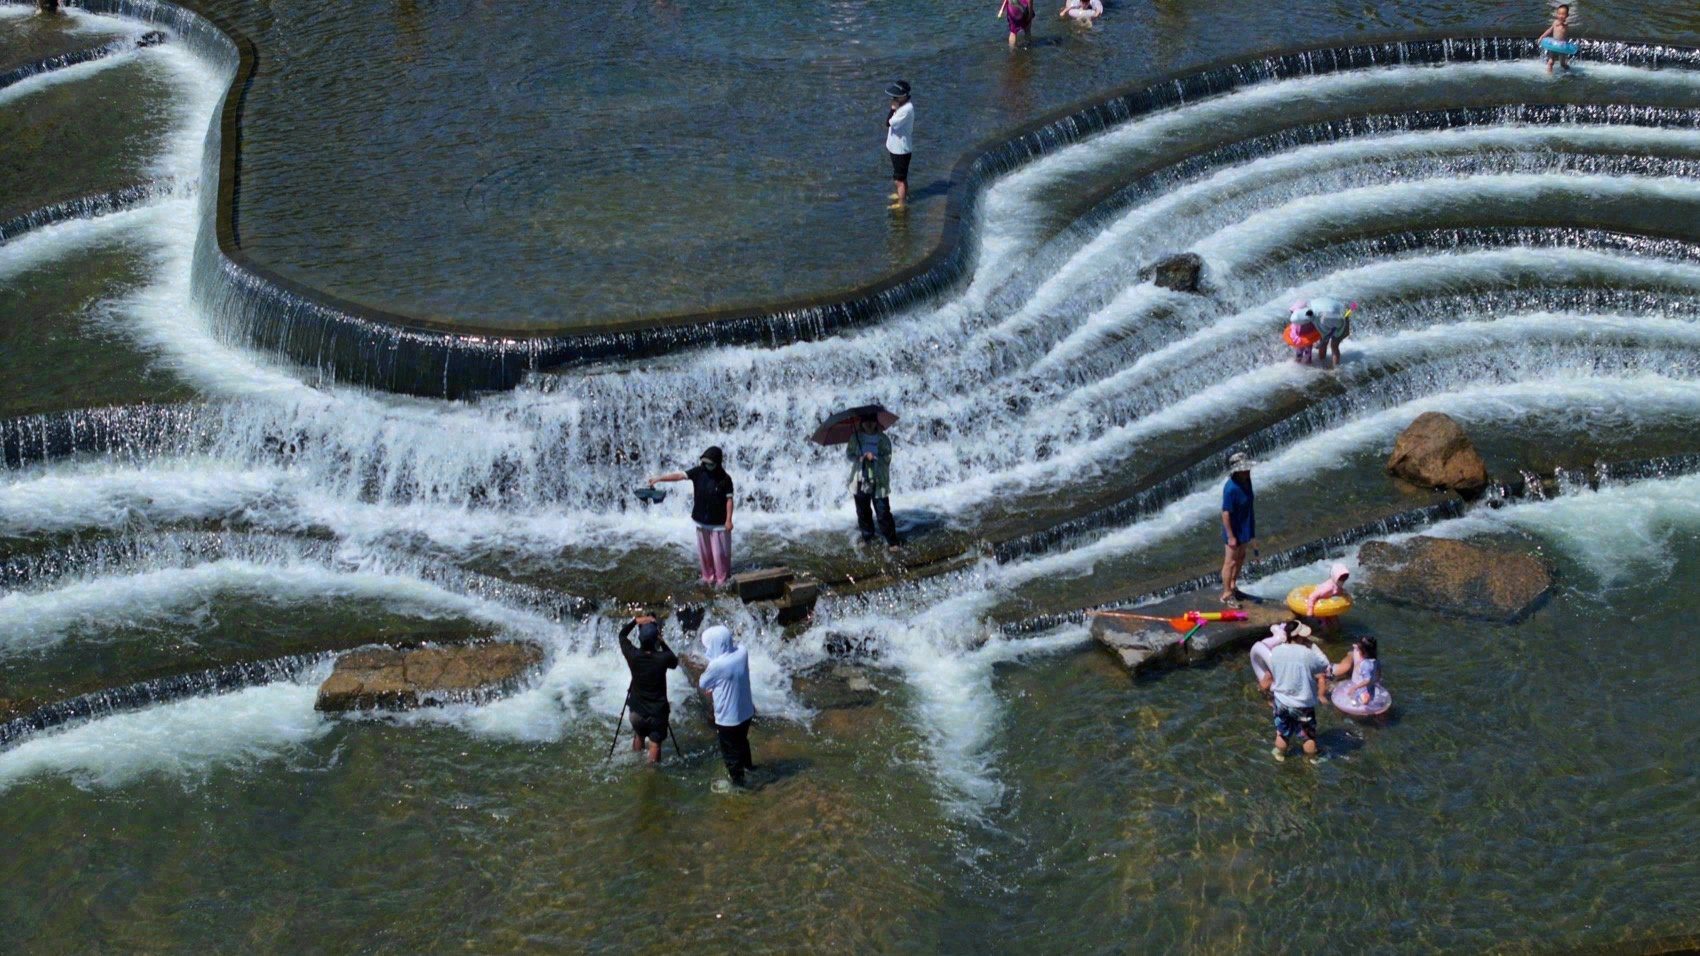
188 528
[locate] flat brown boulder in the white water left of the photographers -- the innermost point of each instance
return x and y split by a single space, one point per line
399 680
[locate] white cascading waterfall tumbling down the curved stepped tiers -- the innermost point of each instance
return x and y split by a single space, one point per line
1516 254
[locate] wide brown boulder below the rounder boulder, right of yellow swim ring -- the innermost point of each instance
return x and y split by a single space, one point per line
1456 578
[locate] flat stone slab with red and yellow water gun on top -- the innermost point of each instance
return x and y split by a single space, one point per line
1148 646
